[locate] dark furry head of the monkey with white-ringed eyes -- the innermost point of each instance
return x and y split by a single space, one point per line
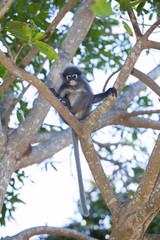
71 75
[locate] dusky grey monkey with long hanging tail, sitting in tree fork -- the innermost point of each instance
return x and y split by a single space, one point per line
76 94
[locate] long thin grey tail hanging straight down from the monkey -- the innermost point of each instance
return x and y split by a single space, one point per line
85 211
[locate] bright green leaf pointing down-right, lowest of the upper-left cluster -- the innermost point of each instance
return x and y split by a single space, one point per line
47 50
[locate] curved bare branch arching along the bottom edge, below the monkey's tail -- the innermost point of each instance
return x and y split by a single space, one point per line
28 233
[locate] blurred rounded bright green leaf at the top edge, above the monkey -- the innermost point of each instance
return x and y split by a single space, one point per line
102 8
